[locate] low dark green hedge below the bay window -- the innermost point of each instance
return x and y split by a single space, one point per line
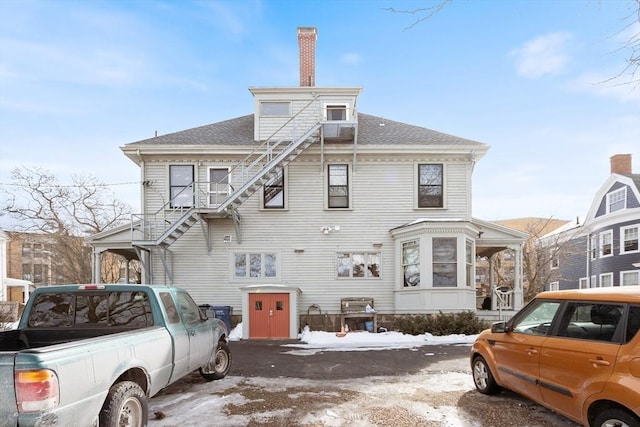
465 322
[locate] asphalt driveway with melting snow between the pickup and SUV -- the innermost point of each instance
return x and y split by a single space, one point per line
280 383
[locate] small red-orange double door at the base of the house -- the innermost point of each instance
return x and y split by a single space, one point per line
268 315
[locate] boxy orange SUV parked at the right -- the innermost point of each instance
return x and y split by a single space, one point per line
576 352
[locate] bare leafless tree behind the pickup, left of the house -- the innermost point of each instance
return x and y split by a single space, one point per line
38 203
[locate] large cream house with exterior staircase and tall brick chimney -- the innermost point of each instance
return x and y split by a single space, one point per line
307 201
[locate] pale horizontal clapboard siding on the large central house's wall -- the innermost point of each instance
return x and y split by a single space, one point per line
209 276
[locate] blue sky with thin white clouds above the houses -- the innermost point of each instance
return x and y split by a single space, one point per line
79 79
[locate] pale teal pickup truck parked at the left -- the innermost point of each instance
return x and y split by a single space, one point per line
92 355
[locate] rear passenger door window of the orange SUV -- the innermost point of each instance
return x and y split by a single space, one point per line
591 321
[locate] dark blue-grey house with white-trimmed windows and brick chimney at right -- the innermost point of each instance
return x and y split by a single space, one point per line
604 249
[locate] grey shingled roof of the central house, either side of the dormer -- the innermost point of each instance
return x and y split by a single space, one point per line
372 130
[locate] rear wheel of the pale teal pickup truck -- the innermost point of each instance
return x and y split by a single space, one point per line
126 406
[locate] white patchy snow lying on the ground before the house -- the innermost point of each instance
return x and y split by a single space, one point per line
193 405
